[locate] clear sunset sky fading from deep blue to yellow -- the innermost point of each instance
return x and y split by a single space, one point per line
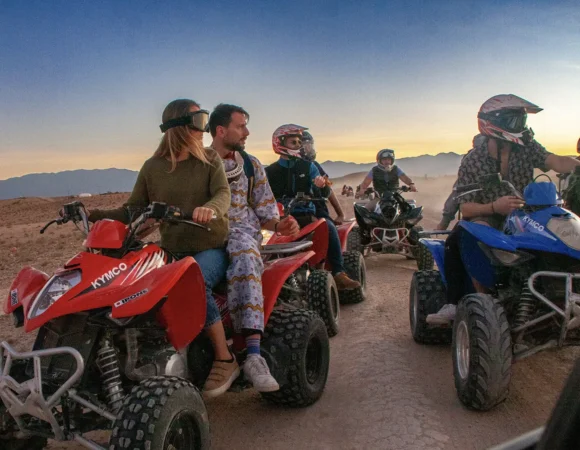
83 83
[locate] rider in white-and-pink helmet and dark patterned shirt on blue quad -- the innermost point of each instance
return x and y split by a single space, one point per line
507 147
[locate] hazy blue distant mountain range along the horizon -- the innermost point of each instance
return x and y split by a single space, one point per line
98 181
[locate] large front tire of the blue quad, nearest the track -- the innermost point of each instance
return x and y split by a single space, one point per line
482 352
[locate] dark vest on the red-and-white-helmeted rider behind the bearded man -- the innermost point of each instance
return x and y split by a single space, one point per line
287 182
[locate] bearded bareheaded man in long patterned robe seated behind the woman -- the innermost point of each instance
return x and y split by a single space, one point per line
253 208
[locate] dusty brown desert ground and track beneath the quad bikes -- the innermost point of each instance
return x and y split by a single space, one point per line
384 391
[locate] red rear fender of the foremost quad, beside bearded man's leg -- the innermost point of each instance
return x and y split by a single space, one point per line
276 272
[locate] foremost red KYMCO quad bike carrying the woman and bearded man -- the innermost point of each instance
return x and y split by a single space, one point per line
120 344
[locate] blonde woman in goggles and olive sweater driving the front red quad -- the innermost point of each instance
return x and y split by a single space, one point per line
183 173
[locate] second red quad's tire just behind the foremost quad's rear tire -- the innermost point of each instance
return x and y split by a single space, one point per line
323 299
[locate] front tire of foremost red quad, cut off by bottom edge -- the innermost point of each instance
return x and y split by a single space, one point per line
159 413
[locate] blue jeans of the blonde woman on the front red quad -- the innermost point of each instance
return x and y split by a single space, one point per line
213 264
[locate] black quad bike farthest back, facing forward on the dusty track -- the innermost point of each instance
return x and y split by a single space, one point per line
388 225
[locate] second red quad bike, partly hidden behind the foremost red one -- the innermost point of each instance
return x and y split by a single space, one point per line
312 285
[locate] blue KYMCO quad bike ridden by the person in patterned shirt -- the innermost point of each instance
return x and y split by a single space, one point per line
531 274
